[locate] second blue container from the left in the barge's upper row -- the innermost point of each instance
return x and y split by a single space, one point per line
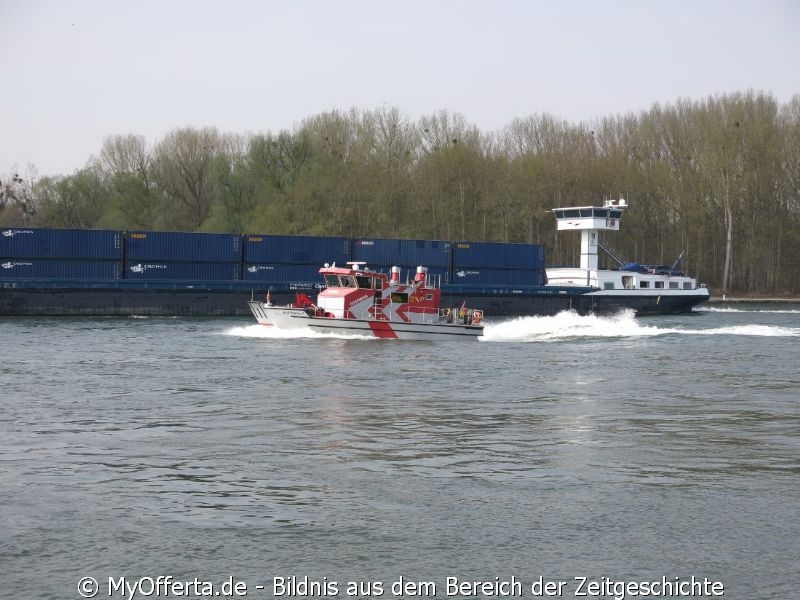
177 246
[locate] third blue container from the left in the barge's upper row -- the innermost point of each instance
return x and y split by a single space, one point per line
294 249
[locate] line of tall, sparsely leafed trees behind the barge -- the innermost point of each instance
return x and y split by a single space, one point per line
716 179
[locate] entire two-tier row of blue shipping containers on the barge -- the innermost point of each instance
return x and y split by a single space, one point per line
273 260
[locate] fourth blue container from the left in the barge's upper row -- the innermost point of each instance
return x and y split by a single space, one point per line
428 253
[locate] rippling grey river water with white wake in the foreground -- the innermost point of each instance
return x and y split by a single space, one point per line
557 448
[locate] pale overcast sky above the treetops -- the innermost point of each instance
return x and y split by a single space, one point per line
75 71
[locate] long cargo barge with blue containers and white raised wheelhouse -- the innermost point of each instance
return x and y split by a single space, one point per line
105 272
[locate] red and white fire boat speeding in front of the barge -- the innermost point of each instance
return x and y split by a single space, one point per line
358 301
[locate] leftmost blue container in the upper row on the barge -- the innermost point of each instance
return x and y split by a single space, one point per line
91 244
